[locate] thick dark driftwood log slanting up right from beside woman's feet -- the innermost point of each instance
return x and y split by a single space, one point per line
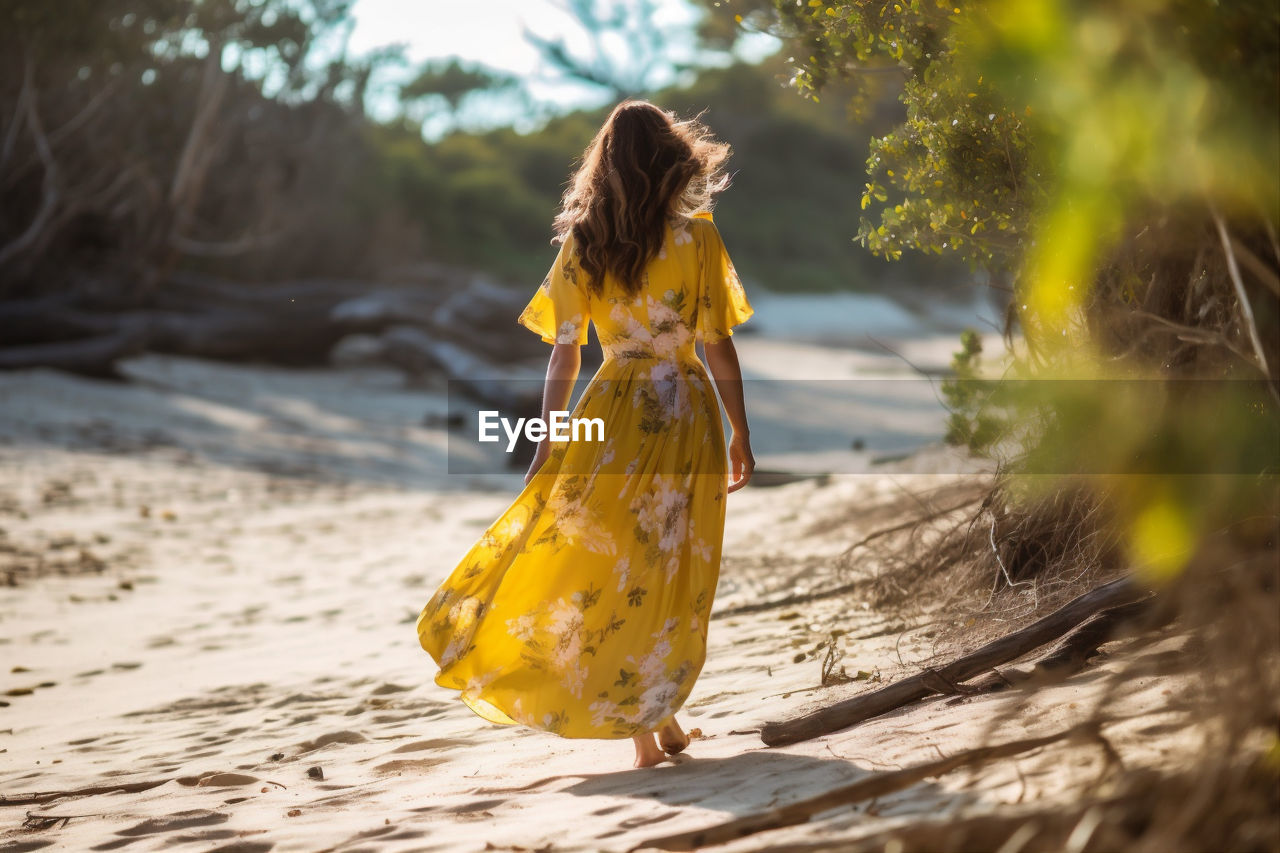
949 678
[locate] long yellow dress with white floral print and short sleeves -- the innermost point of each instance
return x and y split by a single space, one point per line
584 608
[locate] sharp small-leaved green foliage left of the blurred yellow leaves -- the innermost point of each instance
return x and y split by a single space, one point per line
957 176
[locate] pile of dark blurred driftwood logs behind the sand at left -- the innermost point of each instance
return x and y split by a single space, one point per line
86 330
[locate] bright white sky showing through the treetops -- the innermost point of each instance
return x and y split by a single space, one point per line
491 33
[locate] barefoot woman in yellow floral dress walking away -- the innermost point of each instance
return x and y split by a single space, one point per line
584 609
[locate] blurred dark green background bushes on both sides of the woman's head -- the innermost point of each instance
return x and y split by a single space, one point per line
787 218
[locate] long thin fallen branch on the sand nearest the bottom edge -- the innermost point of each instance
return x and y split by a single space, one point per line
863 790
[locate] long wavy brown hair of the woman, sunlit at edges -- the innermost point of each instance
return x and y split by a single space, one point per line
643 168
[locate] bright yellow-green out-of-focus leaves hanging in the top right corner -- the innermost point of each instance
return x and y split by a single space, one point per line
1167 106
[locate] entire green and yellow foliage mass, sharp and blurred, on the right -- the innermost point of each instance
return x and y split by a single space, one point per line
1117 163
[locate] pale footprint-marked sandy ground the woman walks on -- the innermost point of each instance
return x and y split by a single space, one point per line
214 577
